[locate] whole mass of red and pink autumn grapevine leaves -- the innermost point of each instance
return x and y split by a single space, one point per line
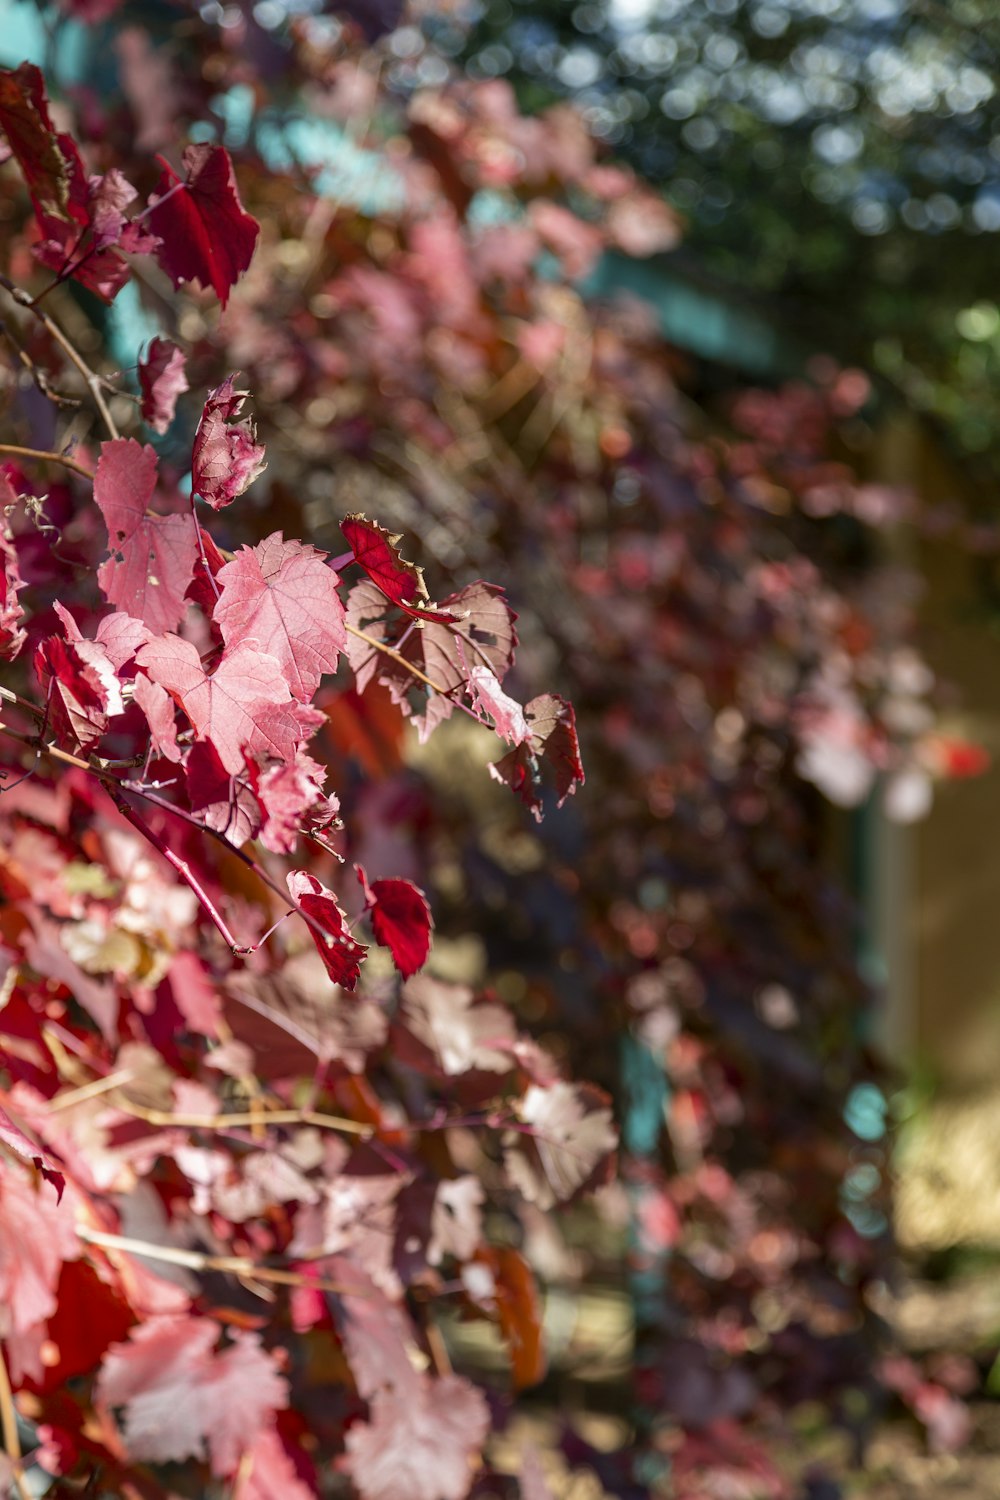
283 1162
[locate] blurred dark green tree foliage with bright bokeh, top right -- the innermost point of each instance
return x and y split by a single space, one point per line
827 154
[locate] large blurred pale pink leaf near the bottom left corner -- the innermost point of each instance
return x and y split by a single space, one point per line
184 1400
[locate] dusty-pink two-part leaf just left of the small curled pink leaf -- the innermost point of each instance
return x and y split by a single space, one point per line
152 557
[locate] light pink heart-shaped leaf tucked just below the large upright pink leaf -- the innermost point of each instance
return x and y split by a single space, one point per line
235 706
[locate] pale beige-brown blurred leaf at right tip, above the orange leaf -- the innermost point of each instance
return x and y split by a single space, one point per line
572 1138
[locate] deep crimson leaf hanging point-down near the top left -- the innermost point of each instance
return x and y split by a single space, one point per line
206 235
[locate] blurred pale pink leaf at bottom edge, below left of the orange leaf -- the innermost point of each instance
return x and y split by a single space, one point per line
421 1442
